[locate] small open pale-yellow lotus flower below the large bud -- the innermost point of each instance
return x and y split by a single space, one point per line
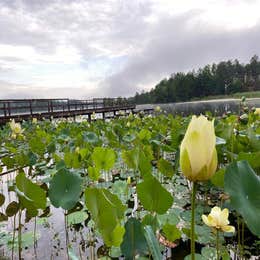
218 219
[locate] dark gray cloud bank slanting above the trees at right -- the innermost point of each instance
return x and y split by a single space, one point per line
175 46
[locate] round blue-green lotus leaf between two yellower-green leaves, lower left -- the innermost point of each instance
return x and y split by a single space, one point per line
65 189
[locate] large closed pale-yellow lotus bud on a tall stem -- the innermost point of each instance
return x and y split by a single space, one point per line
198 155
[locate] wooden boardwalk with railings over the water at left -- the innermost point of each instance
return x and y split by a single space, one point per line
24 109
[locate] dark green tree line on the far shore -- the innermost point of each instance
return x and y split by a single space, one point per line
225 77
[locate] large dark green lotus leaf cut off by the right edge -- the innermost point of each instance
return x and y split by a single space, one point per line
243 186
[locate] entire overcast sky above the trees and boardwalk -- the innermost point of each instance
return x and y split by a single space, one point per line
97 48
